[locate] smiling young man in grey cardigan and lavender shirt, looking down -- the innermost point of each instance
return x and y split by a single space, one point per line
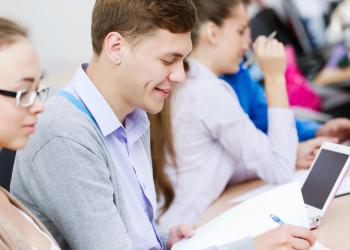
87 173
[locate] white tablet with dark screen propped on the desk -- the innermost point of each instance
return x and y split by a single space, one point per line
324 178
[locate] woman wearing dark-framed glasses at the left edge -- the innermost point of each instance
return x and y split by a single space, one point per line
20 104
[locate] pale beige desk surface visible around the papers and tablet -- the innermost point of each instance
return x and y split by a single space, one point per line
333 232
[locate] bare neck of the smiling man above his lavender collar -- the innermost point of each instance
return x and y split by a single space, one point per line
102 76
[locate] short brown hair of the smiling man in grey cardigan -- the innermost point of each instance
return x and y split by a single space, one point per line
134 18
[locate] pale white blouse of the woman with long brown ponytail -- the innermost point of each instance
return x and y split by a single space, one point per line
216 143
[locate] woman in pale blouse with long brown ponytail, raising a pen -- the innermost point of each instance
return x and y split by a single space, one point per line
210 141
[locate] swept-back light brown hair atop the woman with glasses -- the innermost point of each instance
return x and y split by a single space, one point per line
10 32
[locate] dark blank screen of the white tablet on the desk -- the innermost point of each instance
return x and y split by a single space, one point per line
322 177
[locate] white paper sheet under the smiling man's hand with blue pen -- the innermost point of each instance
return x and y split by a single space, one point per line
251 218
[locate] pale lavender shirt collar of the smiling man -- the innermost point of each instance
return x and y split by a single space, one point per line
136 123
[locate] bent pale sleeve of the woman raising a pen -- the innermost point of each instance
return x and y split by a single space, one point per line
271 156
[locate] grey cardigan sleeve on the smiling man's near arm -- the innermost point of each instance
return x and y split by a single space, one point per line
71 185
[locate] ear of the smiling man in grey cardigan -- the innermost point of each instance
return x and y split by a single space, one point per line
114 43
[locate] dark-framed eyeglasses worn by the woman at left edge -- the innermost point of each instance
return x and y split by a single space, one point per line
26 99
